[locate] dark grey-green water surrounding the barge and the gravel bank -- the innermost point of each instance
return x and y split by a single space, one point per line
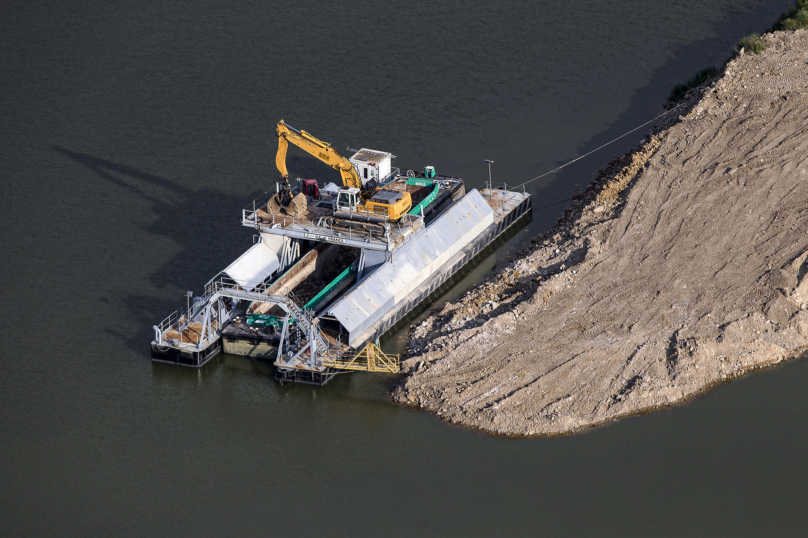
132 136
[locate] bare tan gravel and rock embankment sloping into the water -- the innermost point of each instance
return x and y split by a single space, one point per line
683 265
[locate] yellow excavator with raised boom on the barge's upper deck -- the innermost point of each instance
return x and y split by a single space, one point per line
355 199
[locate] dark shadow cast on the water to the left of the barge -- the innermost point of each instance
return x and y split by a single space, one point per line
202 222
